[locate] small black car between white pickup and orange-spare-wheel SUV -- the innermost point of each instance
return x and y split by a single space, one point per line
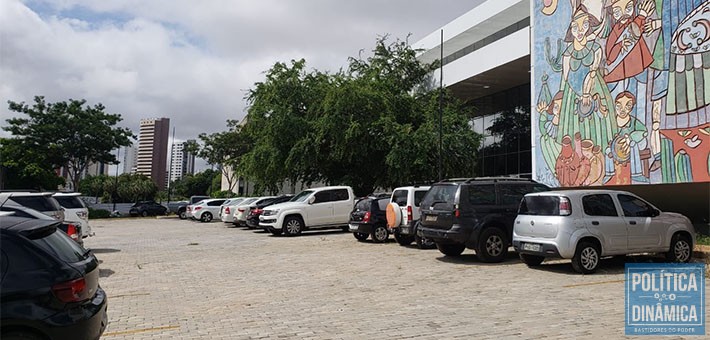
369 218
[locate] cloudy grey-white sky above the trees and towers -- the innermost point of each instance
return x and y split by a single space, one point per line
191 61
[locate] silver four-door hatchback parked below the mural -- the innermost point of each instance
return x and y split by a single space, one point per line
586 225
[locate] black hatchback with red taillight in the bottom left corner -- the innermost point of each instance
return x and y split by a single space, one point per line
49 285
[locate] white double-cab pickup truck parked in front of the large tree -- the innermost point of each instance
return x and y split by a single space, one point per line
316 208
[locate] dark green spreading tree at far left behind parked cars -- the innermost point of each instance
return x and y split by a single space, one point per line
67 134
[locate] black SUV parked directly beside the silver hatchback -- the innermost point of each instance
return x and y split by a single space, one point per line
474 213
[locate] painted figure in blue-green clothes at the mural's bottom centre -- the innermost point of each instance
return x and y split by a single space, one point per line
629 143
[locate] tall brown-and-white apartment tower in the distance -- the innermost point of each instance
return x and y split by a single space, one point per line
152 149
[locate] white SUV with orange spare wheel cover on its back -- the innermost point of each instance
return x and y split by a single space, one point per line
403 221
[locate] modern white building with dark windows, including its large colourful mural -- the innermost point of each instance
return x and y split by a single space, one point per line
634 118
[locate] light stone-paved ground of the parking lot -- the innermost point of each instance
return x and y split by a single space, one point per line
173 279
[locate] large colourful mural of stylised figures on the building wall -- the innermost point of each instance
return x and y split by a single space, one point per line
622 89
